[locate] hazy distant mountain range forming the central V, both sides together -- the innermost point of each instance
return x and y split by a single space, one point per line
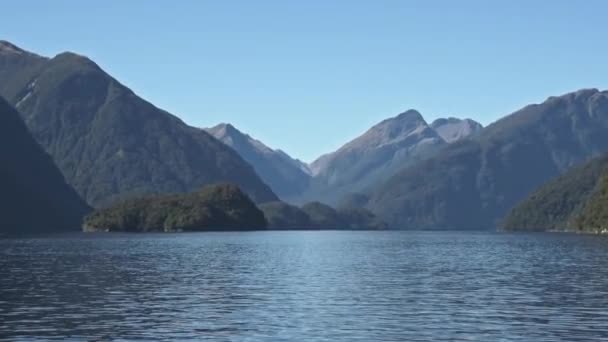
354 168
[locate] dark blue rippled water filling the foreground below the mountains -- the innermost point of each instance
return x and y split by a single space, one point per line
306 286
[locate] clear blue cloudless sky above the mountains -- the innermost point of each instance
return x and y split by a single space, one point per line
306 76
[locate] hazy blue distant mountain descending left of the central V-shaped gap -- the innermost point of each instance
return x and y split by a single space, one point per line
285 176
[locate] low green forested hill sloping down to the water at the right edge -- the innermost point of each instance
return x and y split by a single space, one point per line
559 203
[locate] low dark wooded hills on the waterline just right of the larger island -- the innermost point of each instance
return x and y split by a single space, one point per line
316 215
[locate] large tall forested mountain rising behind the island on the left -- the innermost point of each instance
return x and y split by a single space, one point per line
109 143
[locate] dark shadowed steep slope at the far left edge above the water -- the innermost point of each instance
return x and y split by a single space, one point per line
35 196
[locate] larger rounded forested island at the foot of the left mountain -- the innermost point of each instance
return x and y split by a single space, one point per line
215 207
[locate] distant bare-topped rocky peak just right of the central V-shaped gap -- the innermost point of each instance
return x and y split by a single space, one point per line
380 152
